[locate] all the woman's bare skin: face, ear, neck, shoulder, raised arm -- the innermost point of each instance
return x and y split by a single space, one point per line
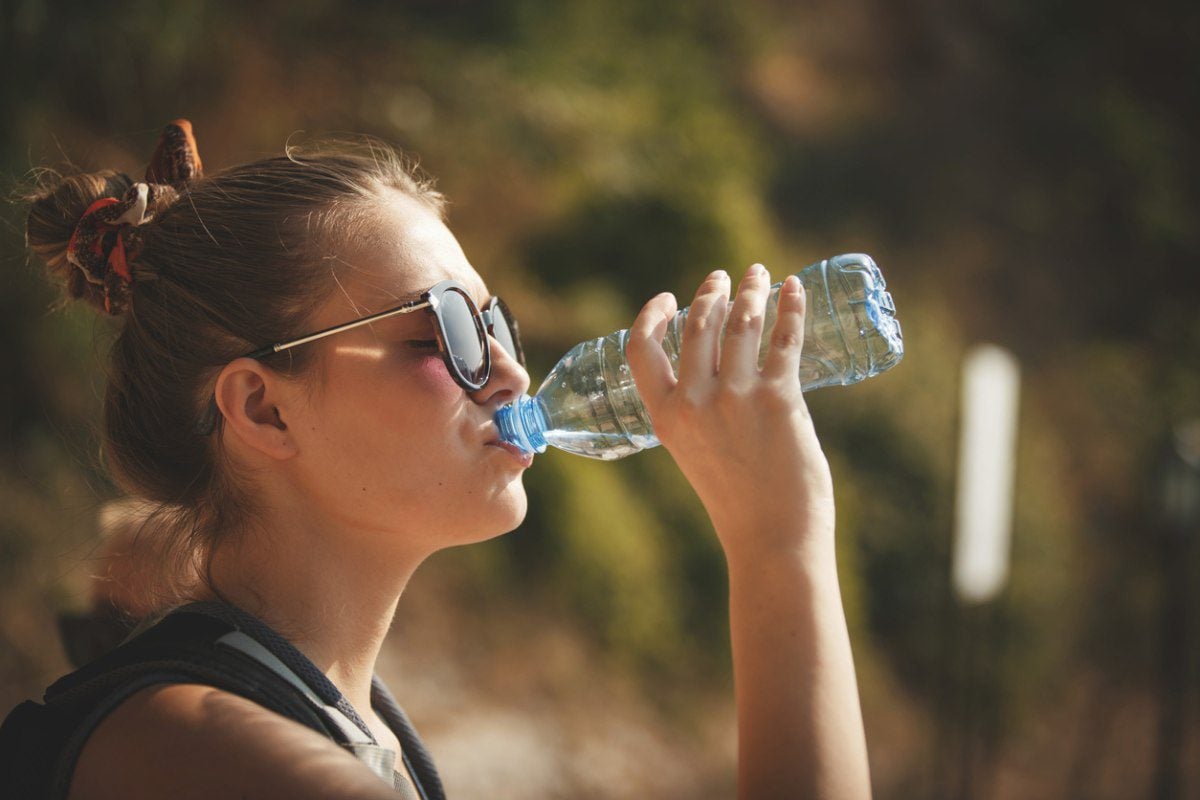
383 460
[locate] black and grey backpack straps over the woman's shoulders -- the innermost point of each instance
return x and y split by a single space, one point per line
218 646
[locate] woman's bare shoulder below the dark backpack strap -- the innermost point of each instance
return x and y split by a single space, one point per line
188 741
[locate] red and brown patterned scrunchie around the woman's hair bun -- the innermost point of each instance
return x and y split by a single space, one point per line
105 242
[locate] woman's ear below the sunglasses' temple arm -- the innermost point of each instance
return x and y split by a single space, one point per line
253 400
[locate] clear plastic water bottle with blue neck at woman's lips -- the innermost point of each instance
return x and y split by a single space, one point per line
590 405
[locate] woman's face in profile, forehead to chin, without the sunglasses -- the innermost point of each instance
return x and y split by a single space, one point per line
388 442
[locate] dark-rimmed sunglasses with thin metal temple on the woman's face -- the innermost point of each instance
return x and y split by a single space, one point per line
461 329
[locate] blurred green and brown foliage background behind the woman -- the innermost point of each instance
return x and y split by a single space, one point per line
1025 175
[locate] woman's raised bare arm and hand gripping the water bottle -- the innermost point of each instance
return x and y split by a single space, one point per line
746 442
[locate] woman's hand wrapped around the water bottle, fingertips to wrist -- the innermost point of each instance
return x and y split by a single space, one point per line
743 437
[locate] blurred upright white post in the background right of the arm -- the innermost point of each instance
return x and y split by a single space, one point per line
987 468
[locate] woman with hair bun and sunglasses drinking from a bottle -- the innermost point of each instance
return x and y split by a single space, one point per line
309 480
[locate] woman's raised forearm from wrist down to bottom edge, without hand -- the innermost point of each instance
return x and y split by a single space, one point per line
800 723
